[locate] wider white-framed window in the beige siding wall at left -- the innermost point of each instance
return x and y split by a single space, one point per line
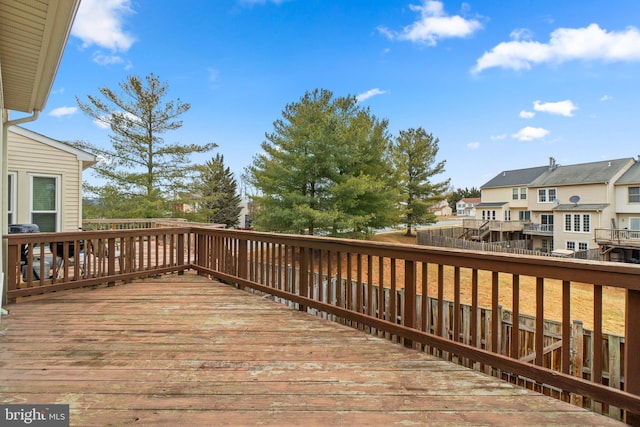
44 202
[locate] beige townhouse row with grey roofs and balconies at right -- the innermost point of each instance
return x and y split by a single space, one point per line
560 207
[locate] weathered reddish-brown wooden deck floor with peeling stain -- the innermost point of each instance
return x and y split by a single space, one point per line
182 350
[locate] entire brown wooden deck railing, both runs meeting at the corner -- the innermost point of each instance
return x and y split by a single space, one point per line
380 288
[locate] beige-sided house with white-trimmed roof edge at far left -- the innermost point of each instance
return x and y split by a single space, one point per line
44 181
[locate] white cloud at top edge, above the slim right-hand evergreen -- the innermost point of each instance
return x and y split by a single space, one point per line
432 25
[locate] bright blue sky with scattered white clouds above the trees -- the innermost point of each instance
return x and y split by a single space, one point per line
502 84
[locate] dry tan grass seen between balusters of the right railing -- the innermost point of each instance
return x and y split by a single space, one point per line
581 294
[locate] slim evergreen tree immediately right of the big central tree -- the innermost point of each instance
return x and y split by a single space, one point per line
414 158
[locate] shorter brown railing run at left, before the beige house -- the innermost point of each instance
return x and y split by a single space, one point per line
39 263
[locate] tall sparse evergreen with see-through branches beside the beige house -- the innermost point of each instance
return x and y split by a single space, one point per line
140 169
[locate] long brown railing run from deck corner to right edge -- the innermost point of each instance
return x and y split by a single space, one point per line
287 267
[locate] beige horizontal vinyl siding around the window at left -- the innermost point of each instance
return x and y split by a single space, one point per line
27 157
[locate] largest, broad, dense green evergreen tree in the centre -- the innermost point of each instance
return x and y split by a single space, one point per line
324 170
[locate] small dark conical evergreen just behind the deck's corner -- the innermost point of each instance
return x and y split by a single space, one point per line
216 192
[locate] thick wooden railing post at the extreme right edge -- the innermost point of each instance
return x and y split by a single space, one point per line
631 350
